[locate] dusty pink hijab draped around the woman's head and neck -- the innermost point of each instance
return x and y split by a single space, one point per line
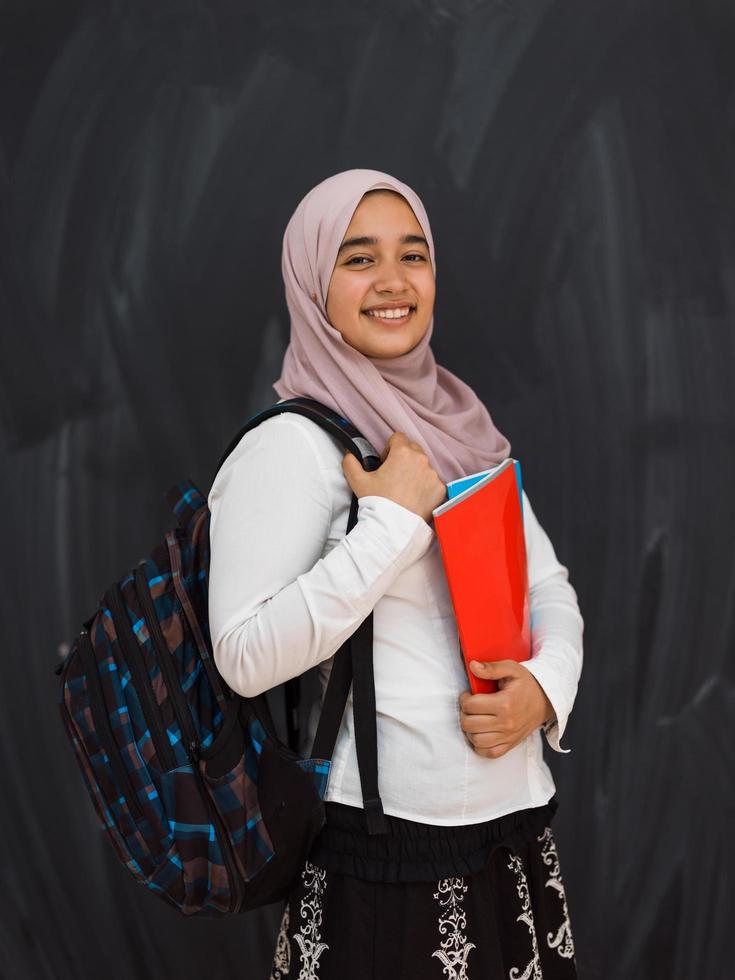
410 393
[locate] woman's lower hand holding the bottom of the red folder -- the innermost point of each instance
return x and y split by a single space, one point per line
495 723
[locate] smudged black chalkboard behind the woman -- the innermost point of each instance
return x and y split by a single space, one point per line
577 163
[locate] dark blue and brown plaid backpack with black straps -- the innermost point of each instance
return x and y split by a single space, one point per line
200 798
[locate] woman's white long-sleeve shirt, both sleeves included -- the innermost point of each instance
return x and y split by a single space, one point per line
288 586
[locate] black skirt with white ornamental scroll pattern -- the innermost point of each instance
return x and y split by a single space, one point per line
475 902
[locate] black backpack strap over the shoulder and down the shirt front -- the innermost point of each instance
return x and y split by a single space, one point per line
353 662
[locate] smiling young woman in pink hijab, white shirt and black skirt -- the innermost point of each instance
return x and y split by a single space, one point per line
466 883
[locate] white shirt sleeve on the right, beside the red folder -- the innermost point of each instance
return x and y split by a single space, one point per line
557 626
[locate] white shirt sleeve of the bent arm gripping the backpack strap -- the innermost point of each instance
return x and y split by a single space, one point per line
276 607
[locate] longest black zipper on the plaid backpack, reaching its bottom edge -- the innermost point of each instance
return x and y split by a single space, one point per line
191 739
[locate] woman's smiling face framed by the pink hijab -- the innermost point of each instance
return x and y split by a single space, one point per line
389 269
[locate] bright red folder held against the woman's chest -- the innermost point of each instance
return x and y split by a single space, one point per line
483 550
